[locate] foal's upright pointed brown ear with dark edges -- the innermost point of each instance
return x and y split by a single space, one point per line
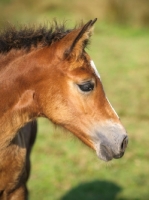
75 41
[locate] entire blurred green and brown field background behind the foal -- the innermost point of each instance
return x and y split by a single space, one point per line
62 167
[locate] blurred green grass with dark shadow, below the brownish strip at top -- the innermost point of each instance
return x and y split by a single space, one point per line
64 168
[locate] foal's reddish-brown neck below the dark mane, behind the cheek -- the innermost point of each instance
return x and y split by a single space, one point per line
18 103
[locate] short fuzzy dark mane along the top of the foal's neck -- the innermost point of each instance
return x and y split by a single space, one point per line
27 37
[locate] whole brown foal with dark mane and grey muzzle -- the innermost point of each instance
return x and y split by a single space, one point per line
47 72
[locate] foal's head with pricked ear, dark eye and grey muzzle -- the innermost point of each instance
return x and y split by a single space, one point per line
72 95
